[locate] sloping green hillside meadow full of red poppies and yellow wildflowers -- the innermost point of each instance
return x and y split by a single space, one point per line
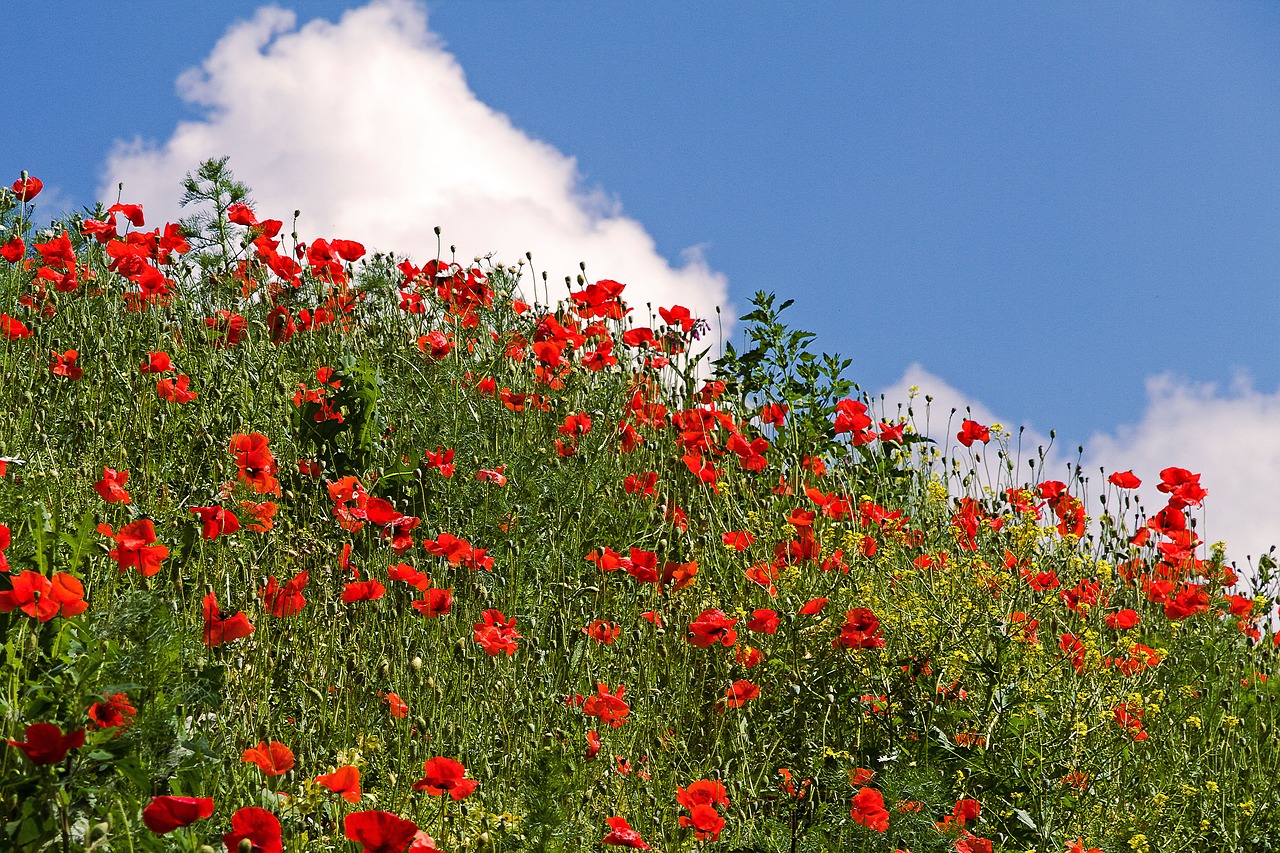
312 549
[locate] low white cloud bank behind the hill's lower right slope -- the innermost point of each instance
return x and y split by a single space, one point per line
1231 437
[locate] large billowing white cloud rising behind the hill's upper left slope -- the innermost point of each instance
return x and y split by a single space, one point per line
368 127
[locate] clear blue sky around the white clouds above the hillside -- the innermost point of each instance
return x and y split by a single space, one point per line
1045 207
